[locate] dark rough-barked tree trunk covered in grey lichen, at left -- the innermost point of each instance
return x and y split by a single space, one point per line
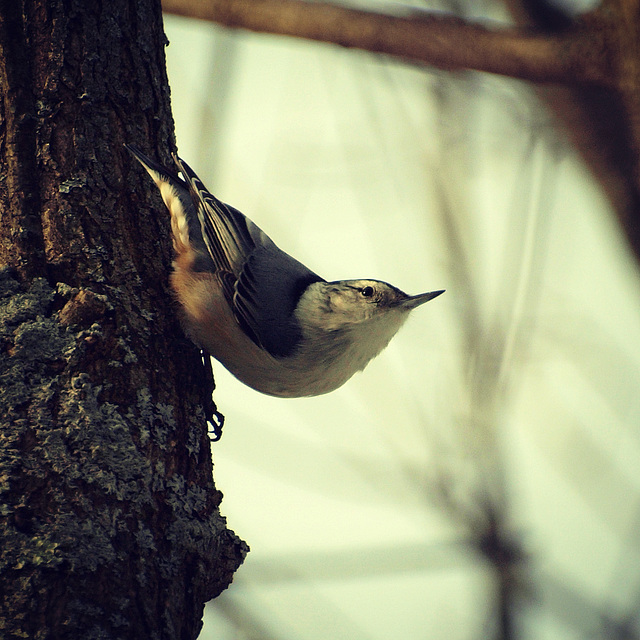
108 513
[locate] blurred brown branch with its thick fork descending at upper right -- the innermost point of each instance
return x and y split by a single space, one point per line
588 68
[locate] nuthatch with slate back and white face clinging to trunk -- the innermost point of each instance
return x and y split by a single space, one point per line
277 326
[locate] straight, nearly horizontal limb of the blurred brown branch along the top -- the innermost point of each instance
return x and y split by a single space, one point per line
439 40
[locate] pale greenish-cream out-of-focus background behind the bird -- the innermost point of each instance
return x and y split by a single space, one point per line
517 388
